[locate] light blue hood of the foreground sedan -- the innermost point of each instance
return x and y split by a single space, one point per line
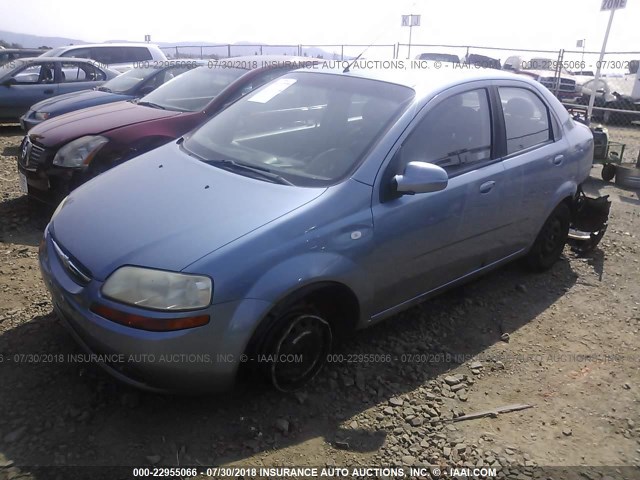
166 210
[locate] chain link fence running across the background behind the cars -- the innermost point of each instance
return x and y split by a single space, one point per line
569 74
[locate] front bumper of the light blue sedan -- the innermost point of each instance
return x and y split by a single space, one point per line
201 359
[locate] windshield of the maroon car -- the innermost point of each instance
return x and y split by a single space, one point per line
192 90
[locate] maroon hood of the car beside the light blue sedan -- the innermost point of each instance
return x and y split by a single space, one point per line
93 121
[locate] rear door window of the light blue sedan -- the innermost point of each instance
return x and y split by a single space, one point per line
526 119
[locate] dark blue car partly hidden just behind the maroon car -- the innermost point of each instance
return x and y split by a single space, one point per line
134 83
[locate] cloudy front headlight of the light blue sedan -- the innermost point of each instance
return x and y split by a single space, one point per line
158 289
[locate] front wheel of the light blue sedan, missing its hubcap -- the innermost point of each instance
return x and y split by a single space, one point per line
295 348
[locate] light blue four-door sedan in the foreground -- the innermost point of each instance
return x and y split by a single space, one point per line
323 202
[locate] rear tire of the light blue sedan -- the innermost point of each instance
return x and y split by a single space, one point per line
551 240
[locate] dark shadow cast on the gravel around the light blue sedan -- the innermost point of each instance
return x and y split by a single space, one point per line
63 412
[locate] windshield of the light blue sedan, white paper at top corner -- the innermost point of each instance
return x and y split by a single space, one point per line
311 129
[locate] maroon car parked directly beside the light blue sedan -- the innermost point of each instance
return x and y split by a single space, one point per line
59 154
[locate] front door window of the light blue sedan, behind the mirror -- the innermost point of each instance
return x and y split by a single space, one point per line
454 134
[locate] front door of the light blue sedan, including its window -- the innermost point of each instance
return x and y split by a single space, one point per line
425 241
